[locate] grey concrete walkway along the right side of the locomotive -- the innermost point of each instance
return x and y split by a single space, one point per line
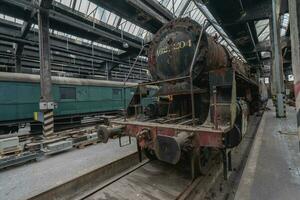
272 171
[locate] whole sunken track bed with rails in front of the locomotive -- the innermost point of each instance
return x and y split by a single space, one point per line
128 178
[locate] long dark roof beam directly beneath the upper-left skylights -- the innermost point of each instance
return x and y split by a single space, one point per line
63 19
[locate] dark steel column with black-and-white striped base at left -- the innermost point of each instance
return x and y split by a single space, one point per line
46 101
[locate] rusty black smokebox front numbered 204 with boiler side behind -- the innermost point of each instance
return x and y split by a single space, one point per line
173 47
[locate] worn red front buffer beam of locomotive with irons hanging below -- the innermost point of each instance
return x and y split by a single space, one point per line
170 142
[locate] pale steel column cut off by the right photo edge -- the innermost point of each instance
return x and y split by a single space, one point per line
294 11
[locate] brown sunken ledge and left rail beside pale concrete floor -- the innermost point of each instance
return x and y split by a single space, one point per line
87 184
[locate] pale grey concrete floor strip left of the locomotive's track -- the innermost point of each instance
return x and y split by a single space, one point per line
25 181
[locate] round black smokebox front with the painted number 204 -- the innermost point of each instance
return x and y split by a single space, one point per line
172 50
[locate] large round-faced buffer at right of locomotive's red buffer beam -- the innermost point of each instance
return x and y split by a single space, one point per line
168 149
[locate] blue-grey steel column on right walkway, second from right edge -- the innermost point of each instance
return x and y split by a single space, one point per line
277 68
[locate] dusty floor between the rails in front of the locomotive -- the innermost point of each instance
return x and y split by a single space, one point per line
155 180
